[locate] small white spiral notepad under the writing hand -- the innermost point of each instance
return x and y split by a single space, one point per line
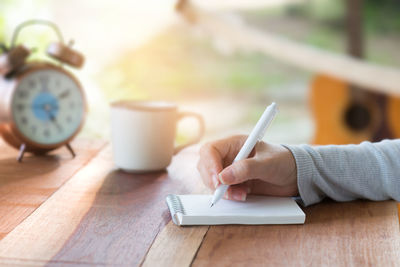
195 210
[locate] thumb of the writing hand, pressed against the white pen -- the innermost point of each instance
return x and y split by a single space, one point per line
239 172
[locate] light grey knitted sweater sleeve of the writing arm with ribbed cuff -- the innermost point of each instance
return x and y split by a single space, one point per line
348 172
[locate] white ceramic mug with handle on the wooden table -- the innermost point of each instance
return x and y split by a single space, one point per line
143 134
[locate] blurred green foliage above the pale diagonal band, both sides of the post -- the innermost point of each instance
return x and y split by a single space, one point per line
322 23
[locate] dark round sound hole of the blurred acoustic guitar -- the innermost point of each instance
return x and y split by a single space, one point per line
357 117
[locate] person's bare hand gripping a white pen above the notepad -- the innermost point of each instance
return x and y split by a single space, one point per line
270 169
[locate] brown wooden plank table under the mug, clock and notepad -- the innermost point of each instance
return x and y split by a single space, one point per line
56 210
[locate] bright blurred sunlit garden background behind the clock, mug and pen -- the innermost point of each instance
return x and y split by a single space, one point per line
146 50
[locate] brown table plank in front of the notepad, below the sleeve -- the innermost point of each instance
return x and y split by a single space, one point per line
335 234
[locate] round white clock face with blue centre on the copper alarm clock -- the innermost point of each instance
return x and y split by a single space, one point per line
47 106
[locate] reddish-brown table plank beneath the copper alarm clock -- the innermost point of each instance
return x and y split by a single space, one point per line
25 186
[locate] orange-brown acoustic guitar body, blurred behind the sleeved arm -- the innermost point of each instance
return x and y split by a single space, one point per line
345 117
